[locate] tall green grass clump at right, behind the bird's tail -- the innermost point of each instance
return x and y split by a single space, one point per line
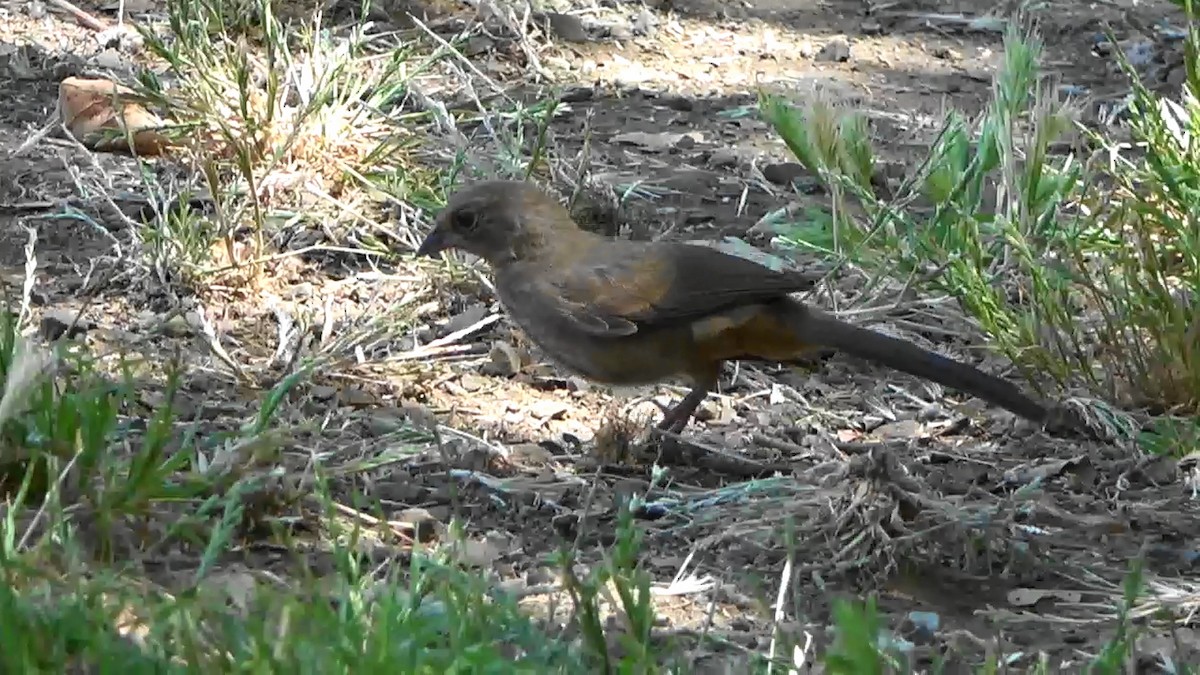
1076 256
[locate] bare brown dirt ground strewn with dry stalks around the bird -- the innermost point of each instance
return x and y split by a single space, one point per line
887 487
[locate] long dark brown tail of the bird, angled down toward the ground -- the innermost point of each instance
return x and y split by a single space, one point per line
819 328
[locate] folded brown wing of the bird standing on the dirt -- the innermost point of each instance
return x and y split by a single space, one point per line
622 286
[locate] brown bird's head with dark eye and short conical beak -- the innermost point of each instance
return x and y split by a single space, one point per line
497 220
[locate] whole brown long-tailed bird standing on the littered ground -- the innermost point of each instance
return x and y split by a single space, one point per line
638 313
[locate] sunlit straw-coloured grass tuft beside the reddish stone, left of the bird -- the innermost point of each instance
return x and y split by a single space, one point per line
287 123
